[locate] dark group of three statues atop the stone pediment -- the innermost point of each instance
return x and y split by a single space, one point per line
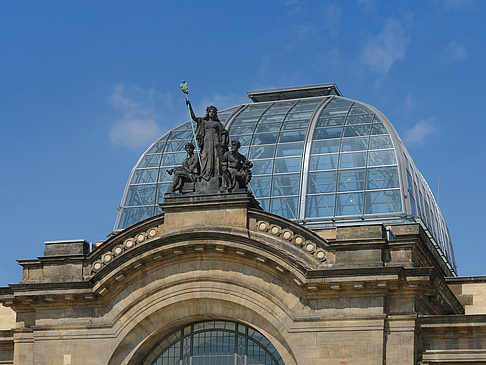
217 169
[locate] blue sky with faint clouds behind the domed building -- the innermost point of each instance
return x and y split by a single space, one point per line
85 87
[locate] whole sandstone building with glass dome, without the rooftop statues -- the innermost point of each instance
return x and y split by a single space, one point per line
340 256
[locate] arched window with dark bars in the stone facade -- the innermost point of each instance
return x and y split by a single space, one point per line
214 343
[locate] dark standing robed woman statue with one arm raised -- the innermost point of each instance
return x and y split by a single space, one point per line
212 139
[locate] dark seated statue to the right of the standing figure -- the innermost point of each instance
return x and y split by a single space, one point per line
236 170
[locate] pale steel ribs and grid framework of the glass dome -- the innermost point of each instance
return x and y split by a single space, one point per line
416 201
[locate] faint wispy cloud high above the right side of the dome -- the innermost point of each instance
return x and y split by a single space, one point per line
380 52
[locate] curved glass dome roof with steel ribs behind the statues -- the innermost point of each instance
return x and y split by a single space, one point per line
321 161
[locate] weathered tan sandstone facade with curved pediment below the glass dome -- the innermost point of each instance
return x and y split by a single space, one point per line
365 294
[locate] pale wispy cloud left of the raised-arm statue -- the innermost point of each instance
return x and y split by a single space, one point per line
137 126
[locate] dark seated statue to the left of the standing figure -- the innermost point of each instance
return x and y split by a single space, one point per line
187 174
